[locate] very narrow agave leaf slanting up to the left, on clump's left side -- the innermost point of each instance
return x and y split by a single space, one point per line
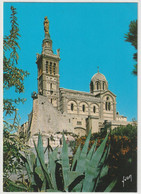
43 166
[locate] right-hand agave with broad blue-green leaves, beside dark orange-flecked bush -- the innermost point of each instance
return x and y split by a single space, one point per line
89 167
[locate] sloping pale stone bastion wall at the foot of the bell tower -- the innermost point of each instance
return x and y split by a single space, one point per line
47 119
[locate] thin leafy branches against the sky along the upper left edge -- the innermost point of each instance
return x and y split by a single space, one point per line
12 76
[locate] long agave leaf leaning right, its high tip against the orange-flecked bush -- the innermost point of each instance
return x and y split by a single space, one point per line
93 169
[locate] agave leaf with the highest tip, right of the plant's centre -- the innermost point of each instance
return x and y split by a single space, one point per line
81 163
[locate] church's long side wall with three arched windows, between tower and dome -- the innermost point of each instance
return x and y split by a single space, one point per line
79 100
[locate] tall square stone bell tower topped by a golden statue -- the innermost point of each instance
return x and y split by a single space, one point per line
48 69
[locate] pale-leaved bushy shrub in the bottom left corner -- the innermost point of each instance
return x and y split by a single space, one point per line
12 162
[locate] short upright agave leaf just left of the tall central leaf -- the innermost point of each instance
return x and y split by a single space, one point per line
52 167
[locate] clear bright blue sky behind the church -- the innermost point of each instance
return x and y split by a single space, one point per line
88 35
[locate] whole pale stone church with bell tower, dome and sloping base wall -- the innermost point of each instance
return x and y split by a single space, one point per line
56 109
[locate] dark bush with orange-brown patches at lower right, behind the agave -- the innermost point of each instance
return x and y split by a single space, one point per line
122 160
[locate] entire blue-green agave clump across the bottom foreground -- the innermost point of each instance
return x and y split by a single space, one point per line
84 175
